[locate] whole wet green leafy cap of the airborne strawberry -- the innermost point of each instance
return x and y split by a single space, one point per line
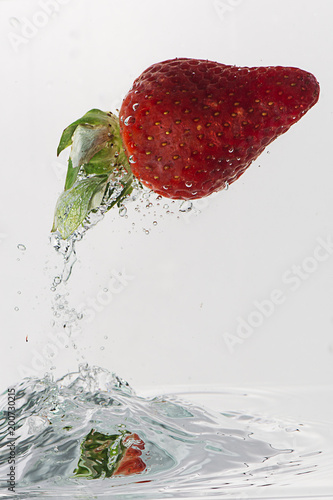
98 173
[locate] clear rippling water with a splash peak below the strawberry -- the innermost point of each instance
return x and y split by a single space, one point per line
190 451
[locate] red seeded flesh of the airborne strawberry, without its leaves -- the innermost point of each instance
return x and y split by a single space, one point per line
191 127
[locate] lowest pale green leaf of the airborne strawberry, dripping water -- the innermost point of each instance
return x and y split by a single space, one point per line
74 205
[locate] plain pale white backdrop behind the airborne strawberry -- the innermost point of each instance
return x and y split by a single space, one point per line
194 277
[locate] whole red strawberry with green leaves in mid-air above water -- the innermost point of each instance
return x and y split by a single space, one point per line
186 129
